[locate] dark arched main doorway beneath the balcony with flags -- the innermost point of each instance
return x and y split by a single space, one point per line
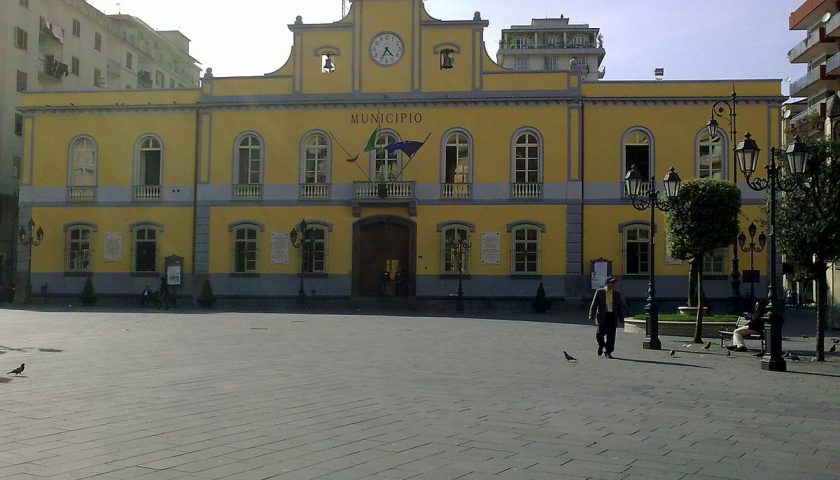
384 243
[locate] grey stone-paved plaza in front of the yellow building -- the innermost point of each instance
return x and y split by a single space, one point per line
248 396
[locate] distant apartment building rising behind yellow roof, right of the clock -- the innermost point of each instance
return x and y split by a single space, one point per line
553 44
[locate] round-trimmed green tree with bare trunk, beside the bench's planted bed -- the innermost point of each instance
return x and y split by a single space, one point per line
703 218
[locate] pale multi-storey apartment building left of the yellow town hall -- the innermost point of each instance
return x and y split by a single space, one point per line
68 45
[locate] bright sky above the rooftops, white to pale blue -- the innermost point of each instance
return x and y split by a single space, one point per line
713 39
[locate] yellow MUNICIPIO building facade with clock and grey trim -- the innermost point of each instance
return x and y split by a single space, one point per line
505 178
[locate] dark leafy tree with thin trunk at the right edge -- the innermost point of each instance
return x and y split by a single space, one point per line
808 223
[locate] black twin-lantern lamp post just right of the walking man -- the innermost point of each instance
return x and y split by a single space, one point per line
645 196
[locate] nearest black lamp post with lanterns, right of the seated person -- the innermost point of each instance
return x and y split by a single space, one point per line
777 179
